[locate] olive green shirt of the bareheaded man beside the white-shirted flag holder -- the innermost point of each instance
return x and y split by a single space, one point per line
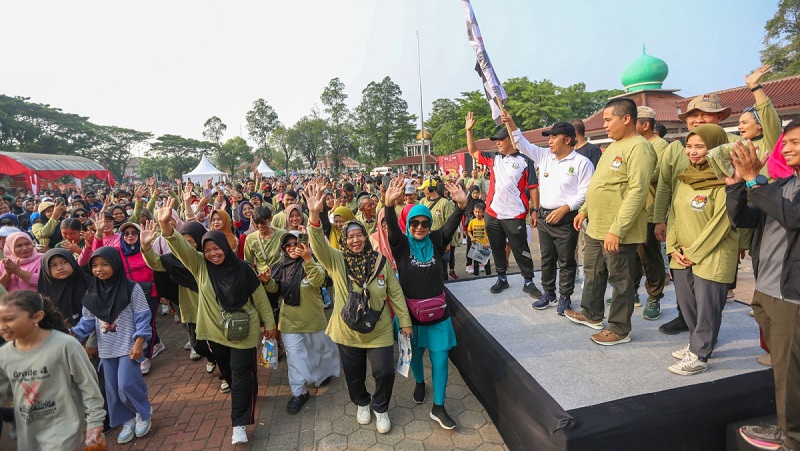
617 193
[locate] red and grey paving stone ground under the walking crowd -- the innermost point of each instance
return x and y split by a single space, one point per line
189 413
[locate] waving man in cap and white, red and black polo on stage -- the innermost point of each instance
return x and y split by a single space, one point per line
513 193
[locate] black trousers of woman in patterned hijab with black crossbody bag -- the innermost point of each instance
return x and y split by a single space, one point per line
354 364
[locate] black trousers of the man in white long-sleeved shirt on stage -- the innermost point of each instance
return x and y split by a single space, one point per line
557 244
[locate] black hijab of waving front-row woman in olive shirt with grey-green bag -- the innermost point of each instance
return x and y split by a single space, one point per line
234 280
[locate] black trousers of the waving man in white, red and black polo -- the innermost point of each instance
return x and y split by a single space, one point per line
516 232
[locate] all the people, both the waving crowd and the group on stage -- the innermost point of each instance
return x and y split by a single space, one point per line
235 262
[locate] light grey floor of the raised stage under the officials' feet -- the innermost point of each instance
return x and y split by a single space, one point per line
577 372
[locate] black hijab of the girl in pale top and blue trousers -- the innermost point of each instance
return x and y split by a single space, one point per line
106 299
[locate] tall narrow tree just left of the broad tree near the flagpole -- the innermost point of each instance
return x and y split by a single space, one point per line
339 124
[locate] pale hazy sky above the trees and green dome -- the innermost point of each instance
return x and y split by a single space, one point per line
167 66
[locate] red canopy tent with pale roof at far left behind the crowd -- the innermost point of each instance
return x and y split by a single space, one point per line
36 166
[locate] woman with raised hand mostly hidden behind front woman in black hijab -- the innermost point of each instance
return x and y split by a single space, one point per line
171 267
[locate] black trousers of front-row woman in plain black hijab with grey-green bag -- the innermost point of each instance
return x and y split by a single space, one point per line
239 369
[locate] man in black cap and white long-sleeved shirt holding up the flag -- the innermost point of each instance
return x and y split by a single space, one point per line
564 176
